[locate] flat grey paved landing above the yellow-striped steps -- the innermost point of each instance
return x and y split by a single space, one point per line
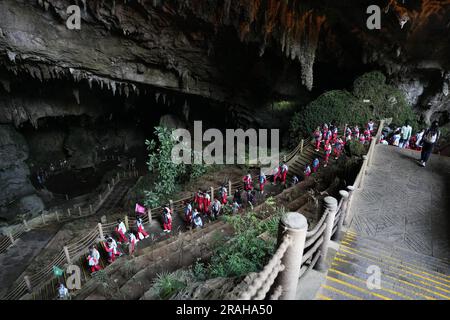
405 204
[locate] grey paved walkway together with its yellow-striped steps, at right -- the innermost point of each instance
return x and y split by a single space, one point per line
399 227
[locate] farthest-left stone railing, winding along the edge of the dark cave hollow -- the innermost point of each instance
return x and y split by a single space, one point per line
13 233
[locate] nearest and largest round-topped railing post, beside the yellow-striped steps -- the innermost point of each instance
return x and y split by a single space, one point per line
294 225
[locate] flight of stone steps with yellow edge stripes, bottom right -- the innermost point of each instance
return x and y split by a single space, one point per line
404 274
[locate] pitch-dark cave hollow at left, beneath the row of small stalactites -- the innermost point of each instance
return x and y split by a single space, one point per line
99 131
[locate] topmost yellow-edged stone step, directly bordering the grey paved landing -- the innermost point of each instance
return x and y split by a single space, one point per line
384 248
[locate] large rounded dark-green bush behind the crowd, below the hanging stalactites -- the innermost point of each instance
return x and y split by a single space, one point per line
386 101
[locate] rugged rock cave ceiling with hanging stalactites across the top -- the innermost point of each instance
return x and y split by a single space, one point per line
224 50
